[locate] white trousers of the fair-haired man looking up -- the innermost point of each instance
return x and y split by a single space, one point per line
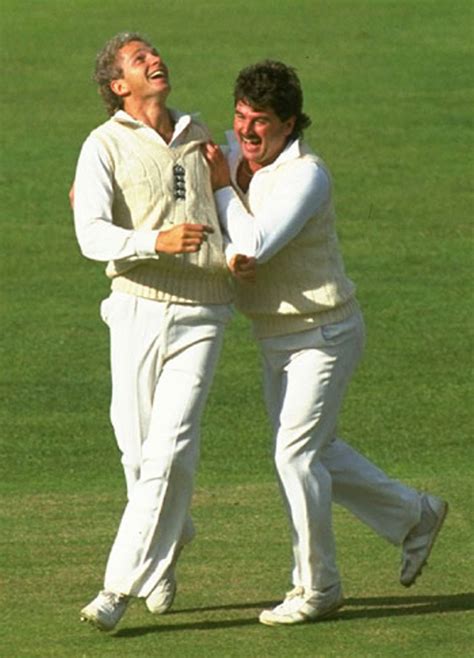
163 358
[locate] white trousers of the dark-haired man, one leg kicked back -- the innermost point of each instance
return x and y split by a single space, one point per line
305 378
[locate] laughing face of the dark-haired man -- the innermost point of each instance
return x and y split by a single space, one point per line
261 133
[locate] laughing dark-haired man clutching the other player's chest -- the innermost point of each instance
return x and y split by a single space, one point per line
274 197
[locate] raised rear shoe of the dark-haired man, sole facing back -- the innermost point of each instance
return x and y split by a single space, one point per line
420 540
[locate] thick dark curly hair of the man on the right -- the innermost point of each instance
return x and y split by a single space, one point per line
275 85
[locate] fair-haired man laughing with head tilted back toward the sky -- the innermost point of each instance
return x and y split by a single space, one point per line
143 203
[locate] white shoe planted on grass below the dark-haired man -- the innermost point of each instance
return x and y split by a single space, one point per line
299 607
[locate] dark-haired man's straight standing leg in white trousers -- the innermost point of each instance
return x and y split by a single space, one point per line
314 368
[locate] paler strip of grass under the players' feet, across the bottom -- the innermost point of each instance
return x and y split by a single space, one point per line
238 565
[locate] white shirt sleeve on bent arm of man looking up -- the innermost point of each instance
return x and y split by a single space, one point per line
99 239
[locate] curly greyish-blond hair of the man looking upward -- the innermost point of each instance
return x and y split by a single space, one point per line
107 68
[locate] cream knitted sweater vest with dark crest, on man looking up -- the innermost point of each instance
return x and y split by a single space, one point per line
157 187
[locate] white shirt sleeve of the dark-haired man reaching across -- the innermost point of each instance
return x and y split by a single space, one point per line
299 193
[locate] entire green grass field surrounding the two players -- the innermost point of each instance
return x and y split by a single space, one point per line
389 86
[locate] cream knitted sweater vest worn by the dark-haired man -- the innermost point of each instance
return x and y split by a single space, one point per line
304 284
